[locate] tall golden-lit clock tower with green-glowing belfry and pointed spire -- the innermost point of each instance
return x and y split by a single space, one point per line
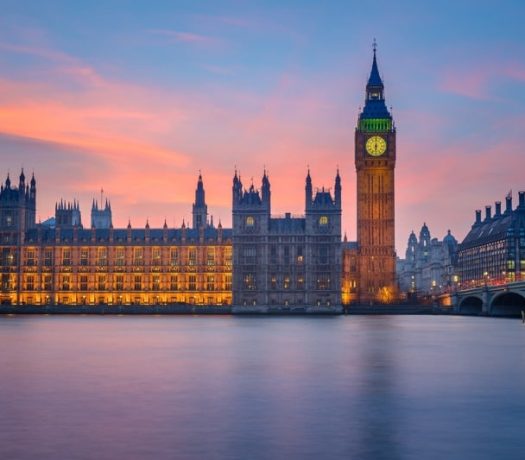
375 159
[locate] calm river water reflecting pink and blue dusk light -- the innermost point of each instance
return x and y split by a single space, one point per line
261 388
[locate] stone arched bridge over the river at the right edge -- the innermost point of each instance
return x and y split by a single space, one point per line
502 299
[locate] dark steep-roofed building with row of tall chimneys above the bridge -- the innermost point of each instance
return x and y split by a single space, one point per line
494 248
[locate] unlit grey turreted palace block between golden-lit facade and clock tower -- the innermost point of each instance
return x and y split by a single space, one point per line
286 260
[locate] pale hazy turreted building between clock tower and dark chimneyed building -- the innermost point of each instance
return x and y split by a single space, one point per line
428 266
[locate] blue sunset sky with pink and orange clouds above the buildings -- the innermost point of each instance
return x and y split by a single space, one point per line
136 98
